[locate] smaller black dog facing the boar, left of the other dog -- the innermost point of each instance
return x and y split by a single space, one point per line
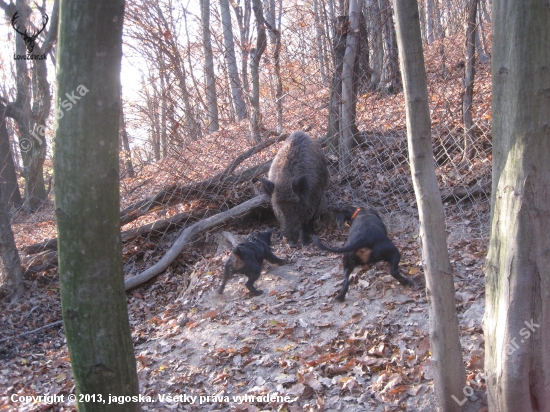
247 258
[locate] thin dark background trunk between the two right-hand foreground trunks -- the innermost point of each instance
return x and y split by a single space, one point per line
469 74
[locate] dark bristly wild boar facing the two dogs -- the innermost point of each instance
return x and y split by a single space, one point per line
296 183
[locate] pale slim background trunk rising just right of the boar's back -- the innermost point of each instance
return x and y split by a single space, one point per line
349 87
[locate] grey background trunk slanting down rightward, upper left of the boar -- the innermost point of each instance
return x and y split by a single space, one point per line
235 82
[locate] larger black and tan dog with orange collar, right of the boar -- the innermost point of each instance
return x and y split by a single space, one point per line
367 243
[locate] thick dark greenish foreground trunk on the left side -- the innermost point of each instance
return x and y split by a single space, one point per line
87 201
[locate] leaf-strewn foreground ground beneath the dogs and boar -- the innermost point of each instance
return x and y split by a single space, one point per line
294 342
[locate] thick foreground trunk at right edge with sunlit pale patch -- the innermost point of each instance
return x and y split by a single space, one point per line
517 311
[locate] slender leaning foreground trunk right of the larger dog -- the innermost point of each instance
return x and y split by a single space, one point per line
449 372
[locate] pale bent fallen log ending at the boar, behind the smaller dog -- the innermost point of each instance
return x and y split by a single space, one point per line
188 233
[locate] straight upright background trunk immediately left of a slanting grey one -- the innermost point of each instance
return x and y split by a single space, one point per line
211 94
